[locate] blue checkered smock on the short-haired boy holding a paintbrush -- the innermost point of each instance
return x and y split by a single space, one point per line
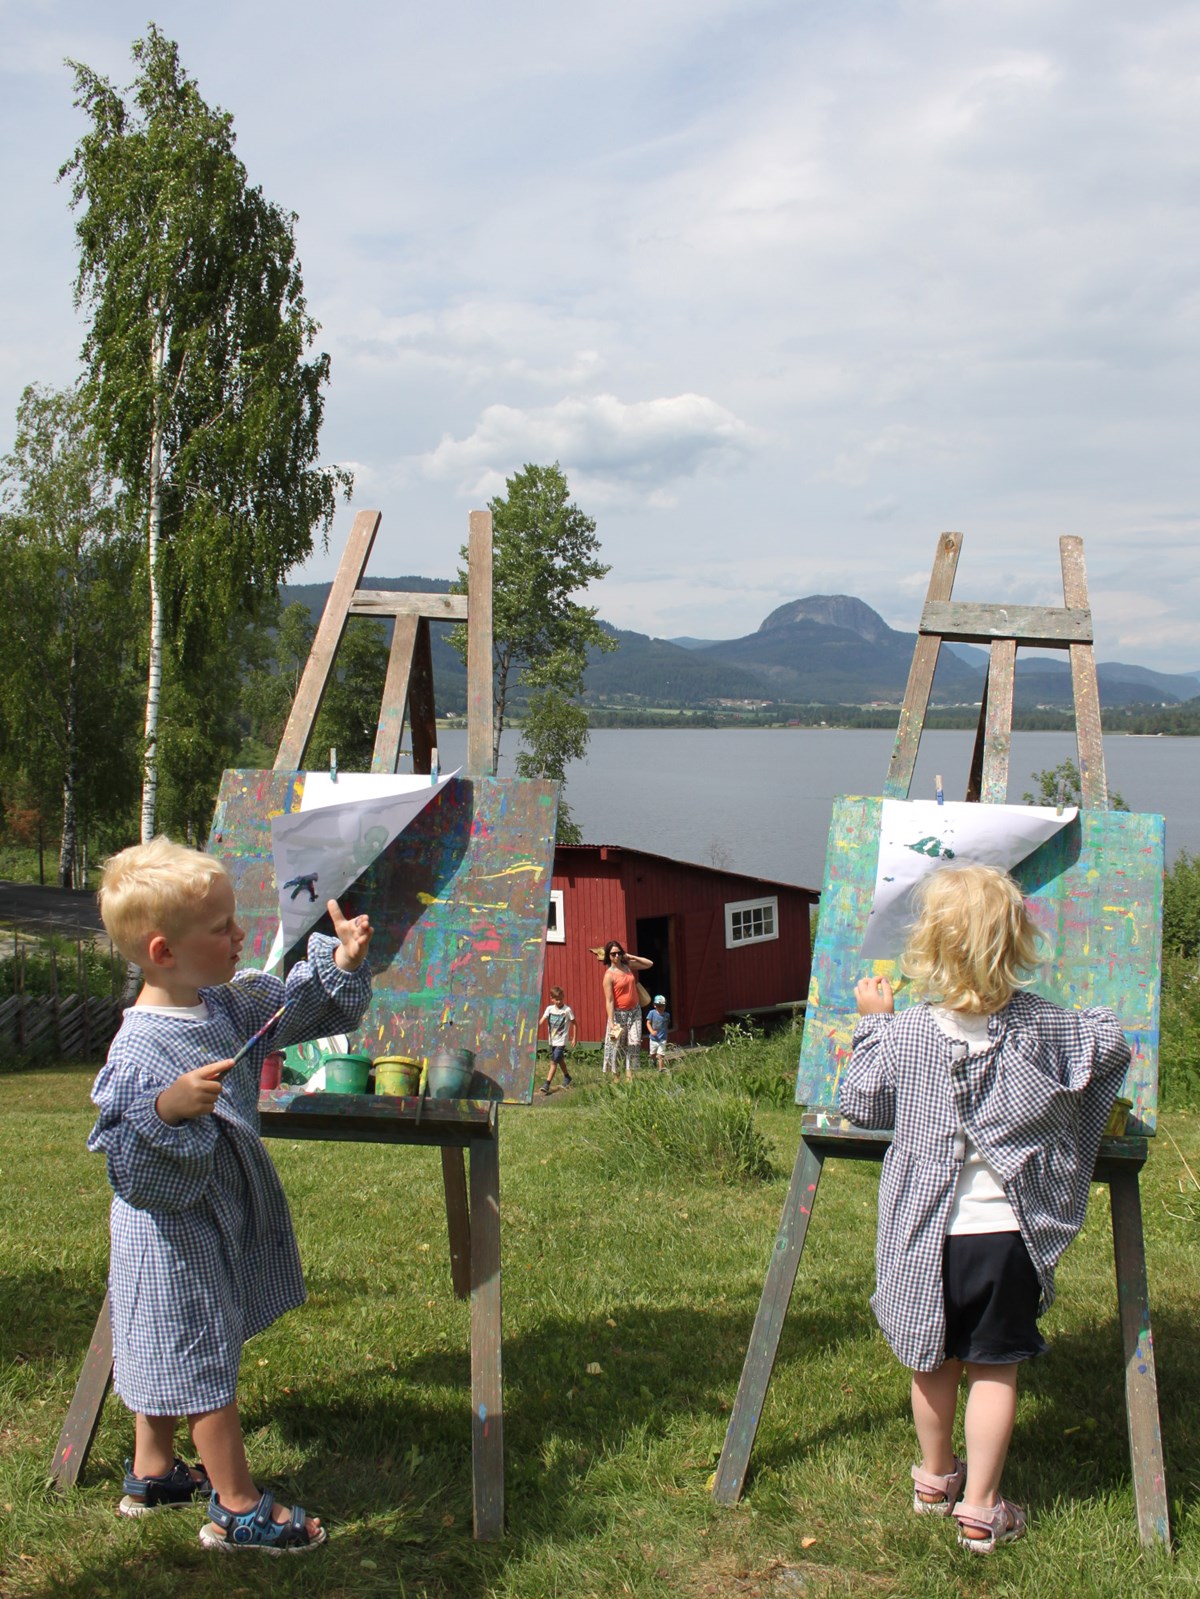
204 1254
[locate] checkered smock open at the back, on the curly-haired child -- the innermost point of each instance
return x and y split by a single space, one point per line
1034 1104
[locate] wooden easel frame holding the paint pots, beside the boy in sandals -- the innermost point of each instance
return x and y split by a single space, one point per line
473 1208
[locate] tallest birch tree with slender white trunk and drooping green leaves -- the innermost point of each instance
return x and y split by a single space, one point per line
198 345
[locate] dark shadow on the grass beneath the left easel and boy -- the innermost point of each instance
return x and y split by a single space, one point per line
386 1457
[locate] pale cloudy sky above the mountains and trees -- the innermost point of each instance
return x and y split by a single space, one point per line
786 289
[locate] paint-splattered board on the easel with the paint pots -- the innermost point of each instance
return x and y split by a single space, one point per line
458 904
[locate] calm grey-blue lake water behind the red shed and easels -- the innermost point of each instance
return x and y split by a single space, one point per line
759 800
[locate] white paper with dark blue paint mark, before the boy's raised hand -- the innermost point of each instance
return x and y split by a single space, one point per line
340 829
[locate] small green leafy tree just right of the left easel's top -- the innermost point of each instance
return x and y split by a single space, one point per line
545 554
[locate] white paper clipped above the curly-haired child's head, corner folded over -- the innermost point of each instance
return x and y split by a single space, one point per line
921 835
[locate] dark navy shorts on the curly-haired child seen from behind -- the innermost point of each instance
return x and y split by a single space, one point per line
991 1299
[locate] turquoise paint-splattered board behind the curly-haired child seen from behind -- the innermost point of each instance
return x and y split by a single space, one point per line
1095 891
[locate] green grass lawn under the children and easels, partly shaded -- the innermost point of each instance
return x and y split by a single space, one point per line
628 1306
